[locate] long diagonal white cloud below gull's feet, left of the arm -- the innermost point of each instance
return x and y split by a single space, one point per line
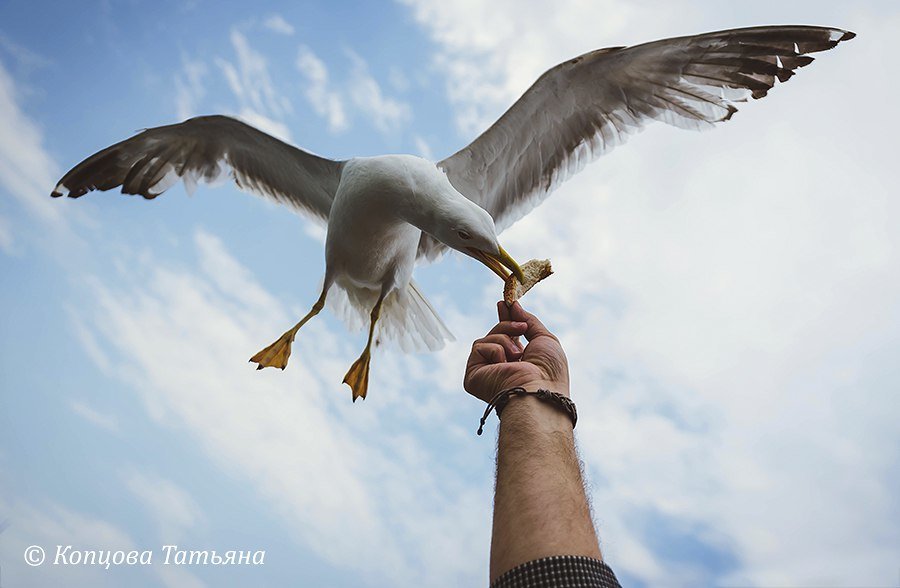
294 435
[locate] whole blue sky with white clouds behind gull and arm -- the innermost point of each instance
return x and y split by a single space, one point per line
727 300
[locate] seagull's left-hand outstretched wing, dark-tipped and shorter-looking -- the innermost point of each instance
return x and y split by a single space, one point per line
206 148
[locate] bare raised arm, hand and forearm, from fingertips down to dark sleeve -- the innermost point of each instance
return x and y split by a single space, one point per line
540 506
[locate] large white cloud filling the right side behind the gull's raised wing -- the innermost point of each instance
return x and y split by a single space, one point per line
727 299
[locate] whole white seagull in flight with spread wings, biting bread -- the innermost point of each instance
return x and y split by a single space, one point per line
386 214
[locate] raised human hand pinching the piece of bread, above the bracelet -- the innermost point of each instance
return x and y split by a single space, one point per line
498 361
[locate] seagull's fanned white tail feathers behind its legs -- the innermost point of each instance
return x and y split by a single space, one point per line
407 318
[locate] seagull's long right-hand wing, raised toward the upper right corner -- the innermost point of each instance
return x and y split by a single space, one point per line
584 107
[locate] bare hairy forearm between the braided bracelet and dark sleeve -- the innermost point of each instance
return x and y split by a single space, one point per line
540 507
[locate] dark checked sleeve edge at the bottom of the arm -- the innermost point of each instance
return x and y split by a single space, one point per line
559 571
